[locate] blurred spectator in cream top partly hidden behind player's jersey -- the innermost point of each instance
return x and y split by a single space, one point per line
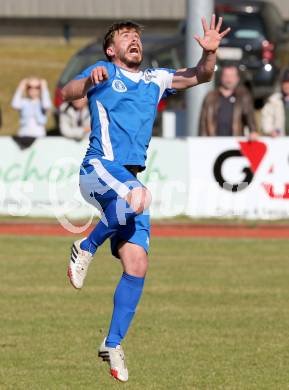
74 119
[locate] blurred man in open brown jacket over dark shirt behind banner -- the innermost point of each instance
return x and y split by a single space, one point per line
229 109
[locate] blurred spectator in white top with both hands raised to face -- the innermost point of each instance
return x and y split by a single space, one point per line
32 100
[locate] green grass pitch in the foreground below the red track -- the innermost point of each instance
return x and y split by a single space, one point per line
214 315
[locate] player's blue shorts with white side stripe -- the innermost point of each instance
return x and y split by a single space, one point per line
102 181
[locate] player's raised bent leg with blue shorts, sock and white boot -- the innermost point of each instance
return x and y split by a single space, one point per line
119 196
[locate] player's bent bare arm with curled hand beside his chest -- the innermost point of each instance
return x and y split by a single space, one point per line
77 89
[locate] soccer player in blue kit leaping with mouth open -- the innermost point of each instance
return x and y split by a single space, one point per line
123 103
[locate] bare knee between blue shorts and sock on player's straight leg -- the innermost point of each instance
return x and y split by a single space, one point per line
134 259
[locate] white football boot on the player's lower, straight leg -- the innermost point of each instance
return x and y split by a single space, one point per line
116 359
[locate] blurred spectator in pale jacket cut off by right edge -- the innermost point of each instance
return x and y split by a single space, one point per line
275 113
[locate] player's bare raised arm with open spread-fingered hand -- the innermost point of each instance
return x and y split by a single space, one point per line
203 72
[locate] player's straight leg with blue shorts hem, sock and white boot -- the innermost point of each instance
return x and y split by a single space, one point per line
134 258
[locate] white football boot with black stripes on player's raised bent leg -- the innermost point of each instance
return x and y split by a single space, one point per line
78 264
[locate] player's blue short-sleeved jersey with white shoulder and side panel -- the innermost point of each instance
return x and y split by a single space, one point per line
123 109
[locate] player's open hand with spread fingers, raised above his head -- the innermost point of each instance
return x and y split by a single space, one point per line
212 36
